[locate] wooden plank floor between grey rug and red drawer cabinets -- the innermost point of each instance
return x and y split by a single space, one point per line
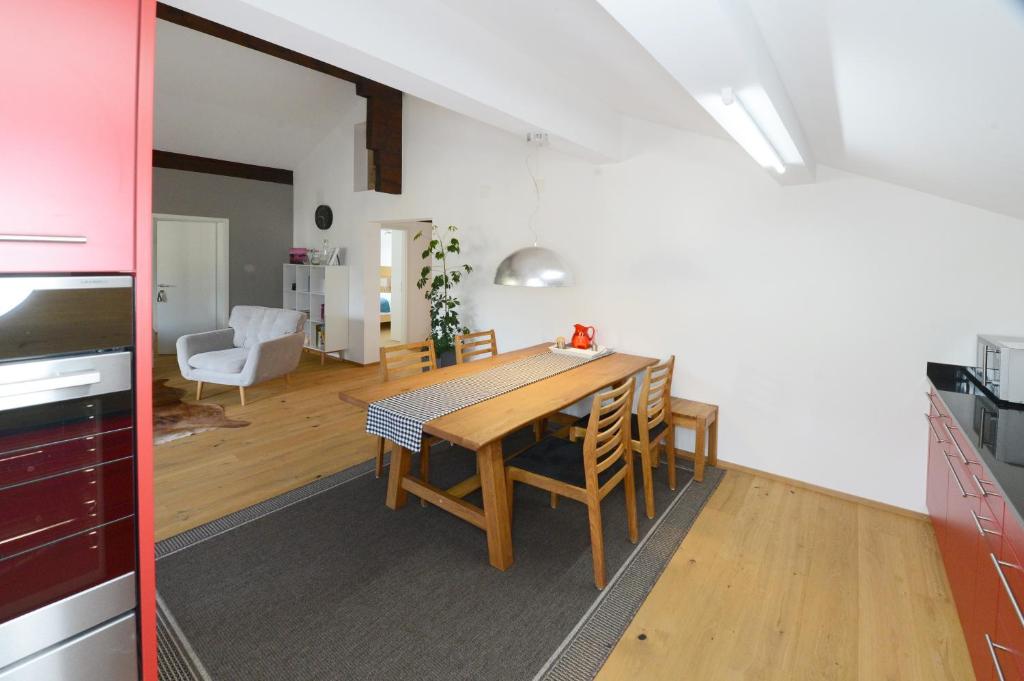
779 583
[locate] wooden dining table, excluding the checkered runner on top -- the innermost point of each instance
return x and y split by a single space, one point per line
481 429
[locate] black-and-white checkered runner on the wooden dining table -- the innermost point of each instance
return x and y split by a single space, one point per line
401 418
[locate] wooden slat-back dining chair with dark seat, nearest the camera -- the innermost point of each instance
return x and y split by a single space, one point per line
587 472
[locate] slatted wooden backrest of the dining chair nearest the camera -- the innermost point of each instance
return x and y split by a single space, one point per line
608 431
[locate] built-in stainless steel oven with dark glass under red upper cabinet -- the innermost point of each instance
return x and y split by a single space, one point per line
68 556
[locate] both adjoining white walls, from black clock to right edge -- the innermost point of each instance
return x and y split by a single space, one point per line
808 314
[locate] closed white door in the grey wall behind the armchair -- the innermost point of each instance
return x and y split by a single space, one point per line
191 283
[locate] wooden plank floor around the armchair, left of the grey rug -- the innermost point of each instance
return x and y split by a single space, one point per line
296 436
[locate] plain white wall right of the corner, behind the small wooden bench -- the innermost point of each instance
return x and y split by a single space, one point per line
807 313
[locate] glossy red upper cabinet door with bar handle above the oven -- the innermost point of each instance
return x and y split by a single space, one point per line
68 136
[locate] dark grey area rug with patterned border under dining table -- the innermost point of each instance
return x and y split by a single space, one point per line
327 583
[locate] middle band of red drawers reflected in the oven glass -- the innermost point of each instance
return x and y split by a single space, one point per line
47 510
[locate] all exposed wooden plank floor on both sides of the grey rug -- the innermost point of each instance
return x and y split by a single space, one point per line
773 583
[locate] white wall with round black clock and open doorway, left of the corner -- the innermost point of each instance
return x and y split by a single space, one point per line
455 172
